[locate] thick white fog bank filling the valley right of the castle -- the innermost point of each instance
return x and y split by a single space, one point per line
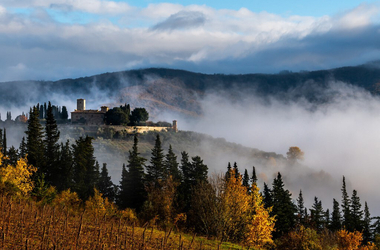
340 137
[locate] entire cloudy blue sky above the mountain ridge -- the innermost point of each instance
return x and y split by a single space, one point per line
55 39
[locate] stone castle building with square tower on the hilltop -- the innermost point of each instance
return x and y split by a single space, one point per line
81 115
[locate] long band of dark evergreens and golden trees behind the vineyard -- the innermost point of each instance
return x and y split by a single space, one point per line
229 207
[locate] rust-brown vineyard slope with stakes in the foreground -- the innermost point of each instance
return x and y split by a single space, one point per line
26 225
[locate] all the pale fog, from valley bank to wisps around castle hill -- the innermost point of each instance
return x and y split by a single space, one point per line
339 136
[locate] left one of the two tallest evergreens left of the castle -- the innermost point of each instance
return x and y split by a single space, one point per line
34 141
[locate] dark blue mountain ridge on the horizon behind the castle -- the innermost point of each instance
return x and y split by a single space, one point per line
161 89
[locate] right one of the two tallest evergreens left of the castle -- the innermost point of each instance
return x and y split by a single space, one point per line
51 169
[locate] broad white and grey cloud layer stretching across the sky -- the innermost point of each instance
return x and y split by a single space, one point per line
167 34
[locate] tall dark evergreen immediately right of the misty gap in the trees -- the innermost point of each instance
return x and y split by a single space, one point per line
132 188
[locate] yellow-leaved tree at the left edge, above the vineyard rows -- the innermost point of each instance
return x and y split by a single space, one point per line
19 176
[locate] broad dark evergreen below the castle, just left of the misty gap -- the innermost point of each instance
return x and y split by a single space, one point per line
85 169
